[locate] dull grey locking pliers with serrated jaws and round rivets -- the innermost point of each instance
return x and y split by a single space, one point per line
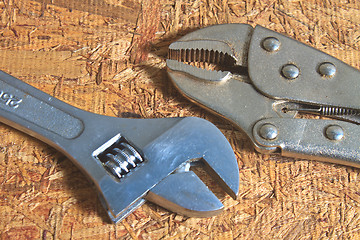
265 82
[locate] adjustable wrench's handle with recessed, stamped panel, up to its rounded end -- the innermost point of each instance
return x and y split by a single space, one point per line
35 112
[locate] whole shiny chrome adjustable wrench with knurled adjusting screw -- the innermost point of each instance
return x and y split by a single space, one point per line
128 160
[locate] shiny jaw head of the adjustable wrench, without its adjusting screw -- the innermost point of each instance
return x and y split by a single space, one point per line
163 177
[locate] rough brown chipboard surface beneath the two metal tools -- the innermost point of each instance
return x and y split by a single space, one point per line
107 57
